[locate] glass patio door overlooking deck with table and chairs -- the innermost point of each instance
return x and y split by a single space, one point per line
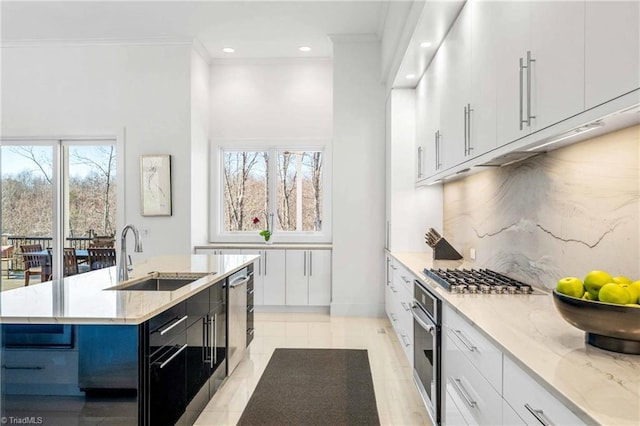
56 194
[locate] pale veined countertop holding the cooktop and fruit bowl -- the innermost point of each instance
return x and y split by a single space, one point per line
598 385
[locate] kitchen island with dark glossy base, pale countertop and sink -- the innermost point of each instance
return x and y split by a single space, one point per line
100 351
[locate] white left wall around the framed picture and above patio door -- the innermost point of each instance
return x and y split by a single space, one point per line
103 90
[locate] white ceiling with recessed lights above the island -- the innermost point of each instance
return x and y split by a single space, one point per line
255 29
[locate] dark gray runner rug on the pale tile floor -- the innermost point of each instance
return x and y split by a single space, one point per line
314 387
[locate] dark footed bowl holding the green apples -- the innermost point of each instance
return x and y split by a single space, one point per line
608 326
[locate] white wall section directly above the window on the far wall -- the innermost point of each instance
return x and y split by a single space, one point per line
271 99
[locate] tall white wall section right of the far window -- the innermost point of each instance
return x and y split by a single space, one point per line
359 179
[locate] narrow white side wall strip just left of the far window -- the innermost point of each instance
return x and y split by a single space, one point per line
200 116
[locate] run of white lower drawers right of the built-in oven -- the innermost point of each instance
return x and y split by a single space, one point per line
483 386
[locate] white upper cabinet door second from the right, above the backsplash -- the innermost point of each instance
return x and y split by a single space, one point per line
557 75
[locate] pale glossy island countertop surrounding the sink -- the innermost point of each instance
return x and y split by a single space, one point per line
86 299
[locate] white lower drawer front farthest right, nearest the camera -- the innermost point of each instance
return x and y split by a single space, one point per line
532 403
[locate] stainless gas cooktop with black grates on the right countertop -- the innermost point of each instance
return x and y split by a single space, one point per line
477 281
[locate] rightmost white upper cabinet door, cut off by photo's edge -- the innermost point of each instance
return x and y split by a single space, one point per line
612 50
